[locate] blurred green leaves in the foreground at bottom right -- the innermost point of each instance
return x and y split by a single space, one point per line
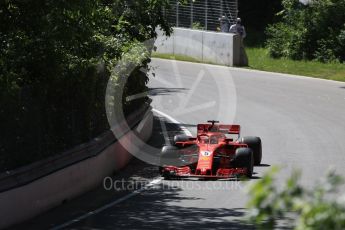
312 208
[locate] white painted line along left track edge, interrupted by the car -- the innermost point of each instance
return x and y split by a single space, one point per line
130 195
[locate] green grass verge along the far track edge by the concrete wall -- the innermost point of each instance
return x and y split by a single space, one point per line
260 60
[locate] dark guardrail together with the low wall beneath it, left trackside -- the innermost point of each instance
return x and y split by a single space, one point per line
31 190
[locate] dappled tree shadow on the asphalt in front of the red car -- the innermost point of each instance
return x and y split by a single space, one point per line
158 209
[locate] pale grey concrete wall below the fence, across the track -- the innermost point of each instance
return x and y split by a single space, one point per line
205 46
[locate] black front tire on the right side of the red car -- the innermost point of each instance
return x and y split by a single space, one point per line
244 159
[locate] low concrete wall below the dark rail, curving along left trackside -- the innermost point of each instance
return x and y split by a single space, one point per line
27 201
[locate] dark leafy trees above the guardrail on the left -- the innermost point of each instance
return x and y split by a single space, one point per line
55 61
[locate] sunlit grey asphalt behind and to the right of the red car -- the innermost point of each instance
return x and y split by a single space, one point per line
301 120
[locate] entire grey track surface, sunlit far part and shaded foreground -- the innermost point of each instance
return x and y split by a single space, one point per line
300 120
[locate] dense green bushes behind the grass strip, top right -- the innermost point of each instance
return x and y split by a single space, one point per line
313 31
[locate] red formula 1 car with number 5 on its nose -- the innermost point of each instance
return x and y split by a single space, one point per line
217 152
